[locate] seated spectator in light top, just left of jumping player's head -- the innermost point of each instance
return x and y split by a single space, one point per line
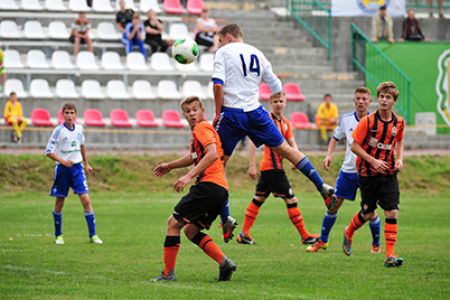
206 30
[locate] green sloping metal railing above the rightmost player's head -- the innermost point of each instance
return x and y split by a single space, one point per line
376 66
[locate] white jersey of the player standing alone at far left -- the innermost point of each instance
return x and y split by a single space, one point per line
66 143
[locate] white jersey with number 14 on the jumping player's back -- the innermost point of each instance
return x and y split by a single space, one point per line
241 67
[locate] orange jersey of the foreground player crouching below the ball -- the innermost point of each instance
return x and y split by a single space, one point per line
204 134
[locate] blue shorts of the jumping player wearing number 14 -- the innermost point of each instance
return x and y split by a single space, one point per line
234 124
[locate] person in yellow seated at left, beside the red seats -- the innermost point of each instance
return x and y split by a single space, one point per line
14 116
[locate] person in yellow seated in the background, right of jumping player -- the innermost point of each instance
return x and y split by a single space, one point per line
327 117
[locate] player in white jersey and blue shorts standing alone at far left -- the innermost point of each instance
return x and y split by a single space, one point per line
66 148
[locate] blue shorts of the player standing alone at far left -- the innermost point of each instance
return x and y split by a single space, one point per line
66 178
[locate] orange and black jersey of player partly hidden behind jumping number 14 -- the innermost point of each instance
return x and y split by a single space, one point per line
271 160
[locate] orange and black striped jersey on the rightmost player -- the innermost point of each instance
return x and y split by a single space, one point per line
378 138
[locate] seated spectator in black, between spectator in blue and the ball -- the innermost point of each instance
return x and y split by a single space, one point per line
153 33
